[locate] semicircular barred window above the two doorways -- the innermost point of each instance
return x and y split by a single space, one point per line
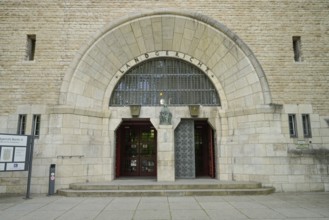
174 80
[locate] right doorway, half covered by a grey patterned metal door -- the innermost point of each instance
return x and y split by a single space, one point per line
194 149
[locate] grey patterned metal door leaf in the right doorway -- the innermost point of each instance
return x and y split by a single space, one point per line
184 150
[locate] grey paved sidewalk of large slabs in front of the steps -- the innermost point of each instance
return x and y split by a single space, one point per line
309 206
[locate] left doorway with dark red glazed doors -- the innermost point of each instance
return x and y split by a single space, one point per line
136 149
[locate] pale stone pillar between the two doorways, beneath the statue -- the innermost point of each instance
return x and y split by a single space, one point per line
166 154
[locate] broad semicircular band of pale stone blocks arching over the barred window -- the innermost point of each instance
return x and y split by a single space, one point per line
234 69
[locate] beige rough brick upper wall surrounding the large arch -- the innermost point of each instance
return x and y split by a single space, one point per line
63 27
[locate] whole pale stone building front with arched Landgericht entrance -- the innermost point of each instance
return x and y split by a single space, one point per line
62 61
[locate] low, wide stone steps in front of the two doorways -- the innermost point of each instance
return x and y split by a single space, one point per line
207 187
